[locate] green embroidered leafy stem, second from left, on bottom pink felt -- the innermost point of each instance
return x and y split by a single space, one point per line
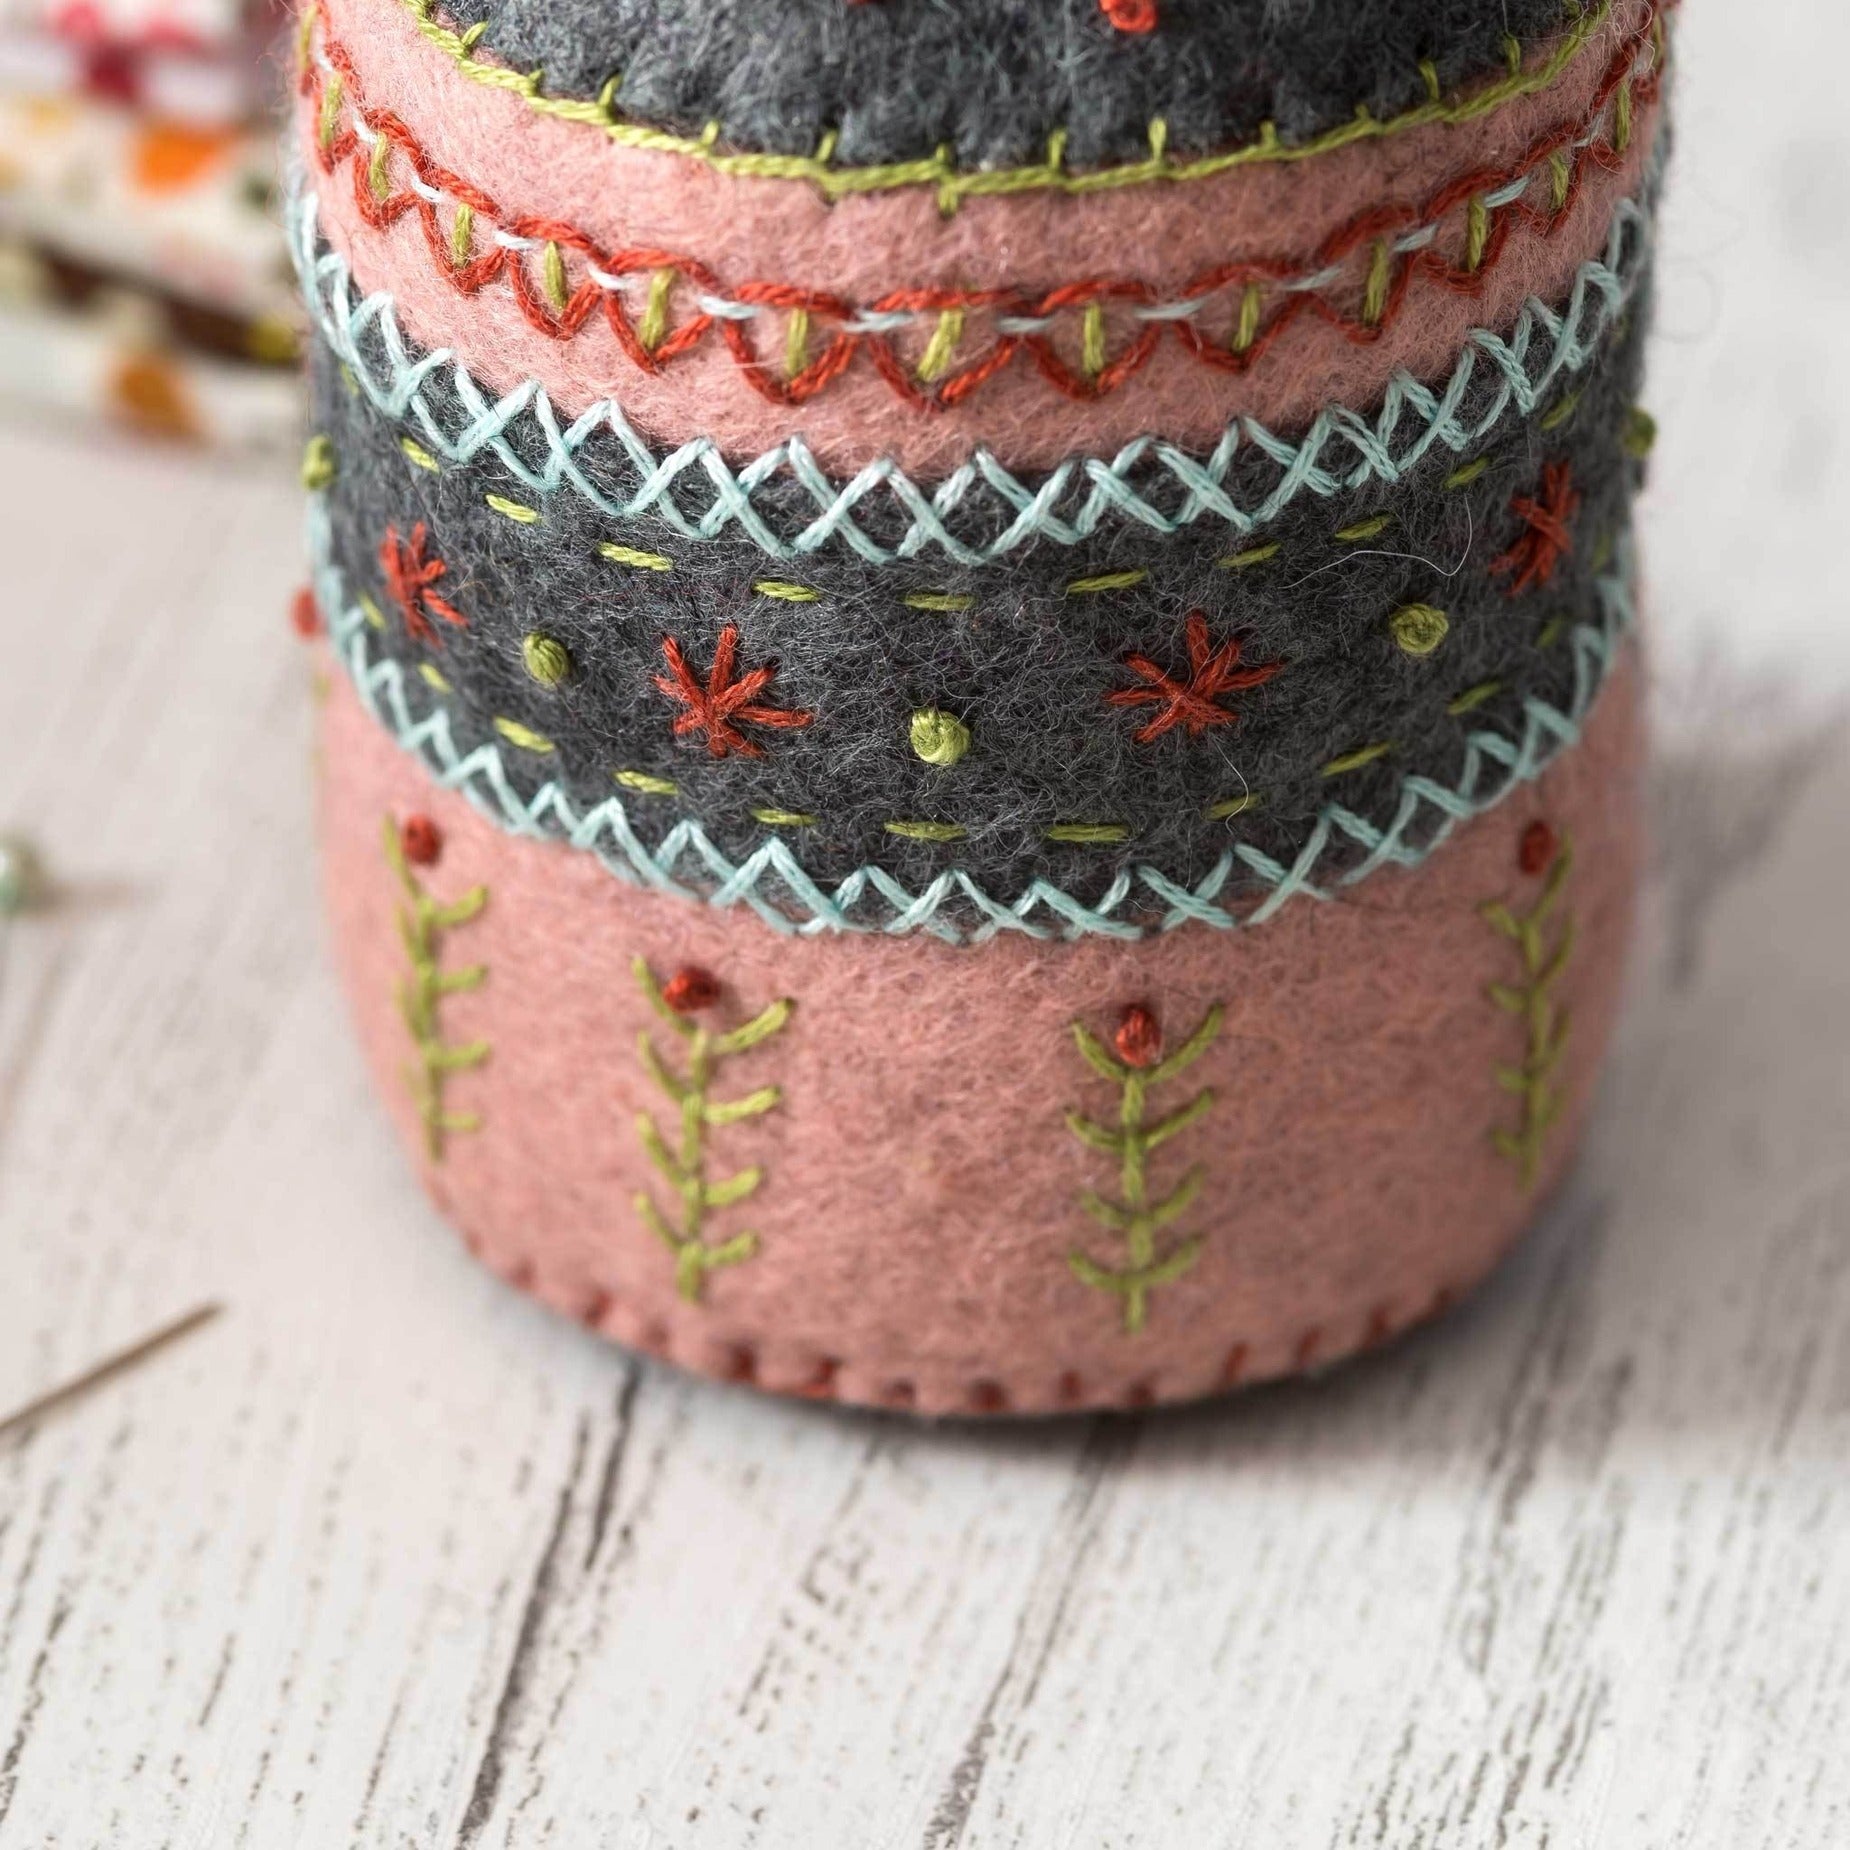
685 1168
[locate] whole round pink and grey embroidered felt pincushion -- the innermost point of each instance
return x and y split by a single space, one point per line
989 752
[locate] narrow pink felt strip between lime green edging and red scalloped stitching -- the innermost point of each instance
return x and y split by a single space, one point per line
756 228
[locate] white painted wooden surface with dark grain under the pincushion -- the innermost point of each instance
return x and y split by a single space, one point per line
391 1559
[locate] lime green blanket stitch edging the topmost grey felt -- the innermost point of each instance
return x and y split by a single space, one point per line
956 186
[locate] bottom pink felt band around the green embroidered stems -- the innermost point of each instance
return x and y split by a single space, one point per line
922 1190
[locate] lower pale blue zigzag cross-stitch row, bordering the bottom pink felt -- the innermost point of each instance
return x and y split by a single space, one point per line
774 883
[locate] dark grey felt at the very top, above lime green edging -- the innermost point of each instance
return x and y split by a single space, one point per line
991 80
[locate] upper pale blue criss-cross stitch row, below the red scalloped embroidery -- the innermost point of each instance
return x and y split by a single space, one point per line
981 512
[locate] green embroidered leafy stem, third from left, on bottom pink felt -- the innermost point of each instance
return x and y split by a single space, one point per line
1137 1218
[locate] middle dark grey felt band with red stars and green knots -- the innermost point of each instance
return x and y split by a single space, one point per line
1076 758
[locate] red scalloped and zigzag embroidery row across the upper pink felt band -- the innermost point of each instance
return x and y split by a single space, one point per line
561 310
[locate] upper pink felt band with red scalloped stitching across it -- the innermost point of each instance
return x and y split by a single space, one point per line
1035 408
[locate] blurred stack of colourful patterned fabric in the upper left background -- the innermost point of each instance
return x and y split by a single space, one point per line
143 278
